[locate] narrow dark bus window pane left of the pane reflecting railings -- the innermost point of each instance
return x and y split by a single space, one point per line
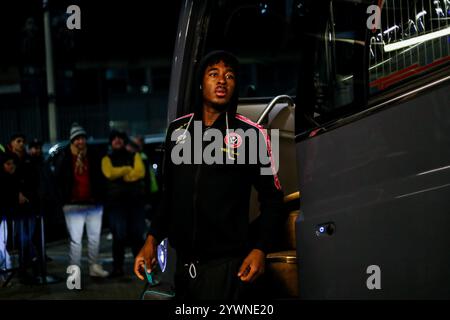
336 63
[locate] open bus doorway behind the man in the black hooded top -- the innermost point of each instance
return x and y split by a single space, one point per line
260 34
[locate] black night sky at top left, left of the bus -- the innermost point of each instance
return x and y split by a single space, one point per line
109 30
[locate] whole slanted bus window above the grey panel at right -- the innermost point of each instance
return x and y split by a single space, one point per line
348 68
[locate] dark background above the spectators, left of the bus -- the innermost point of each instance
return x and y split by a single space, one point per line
113 73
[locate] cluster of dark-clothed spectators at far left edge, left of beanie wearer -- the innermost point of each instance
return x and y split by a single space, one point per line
19 202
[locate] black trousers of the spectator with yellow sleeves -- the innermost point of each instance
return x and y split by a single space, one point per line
127 223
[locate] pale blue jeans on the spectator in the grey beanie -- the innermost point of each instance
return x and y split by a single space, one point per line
76 217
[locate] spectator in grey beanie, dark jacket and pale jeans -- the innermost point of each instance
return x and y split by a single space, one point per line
79 182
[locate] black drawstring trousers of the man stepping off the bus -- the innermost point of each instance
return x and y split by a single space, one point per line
214 280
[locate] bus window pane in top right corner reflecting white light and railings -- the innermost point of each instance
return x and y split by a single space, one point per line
413 40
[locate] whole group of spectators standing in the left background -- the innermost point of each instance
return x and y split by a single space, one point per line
85 184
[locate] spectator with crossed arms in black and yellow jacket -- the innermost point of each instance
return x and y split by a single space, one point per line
124 198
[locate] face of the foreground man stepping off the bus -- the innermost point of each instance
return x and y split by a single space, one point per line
218 85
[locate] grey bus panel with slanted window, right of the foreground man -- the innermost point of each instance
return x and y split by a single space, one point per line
372 139
